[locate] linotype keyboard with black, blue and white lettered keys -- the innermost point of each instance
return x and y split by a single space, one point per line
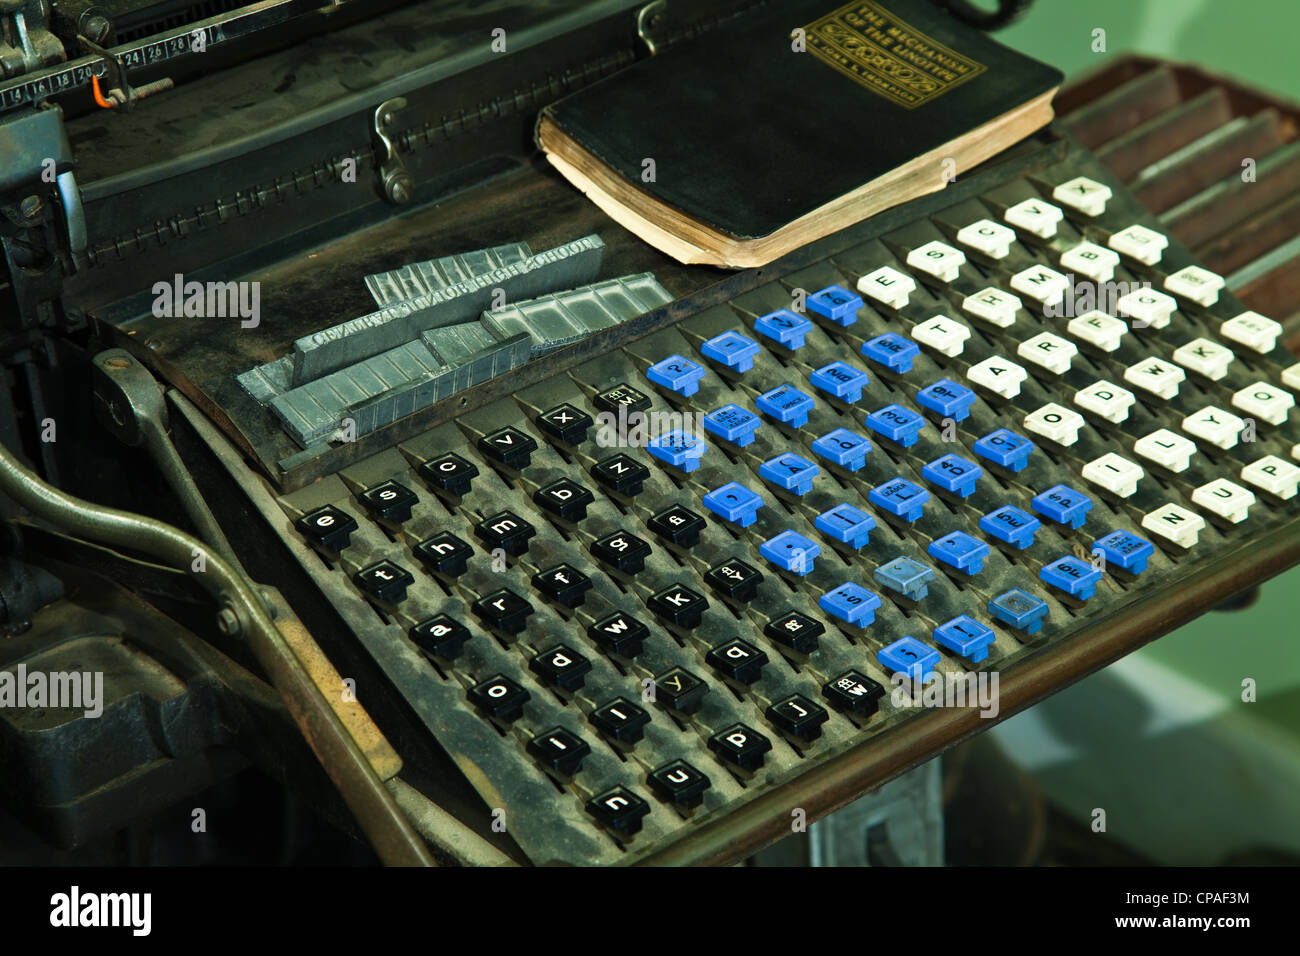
661 586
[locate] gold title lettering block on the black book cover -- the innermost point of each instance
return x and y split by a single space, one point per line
878 50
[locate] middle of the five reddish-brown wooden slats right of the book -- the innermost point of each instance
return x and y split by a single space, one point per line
1188 172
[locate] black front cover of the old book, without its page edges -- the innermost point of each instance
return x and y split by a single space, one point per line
748 135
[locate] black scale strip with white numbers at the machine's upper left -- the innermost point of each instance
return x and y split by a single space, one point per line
184 41
